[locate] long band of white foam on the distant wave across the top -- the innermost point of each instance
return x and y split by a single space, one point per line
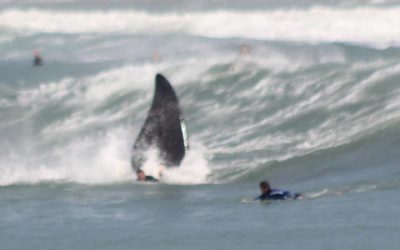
377 26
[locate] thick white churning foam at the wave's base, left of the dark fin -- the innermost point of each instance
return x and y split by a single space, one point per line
95 160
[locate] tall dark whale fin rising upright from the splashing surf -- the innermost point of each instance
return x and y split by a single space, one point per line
163 128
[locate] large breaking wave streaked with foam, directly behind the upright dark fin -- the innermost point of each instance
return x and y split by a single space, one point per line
245 118
